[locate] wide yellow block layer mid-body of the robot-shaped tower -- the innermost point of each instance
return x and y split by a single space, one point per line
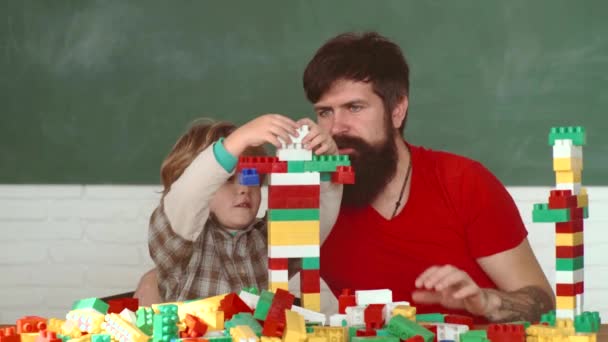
286 233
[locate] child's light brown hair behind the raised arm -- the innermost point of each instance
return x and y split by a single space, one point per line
200 135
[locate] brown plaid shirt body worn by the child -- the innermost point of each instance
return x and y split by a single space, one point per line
215 263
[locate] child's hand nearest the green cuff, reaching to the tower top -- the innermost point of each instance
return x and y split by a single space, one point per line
263 129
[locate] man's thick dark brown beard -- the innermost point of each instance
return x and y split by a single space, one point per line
374 168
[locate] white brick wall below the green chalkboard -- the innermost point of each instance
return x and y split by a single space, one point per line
62 243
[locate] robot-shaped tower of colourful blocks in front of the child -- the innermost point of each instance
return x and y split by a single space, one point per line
295 176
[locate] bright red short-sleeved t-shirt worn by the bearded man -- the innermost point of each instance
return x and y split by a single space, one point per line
457 211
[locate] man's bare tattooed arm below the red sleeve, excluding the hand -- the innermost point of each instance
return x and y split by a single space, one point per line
525 293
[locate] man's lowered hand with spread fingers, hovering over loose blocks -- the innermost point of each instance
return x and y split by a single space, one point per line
452 288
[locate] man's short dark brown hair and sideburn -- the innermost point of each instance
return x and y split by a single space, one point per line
365 57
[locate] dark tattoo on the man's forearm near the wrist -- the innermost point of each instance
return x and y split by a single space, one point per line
525 304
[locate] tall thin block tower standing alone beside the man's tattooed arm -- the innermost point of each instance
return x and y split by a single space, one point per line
567 207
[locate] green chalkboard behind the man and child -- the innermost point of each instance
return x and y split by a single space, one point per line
98 91
